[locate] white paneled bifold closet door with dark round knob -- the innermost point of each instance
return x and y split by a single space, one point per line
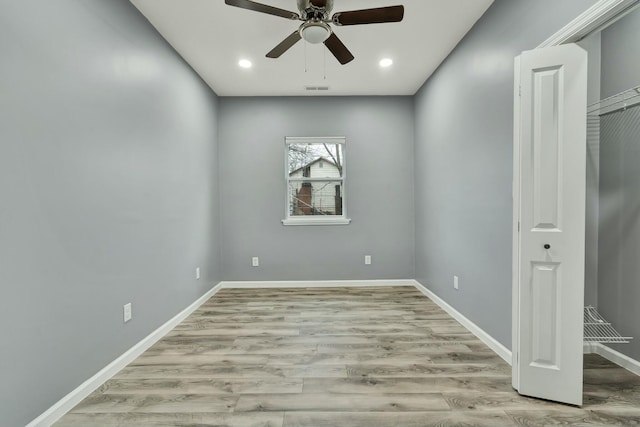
549 211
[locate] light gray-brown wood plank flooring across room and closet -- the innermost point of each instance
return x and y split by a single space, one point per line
341 357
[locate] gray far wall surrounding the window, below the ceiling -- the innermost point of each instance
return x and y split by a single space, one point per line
379 188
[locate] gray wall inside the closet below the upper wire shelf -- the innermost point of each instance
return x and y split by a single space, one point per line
619 269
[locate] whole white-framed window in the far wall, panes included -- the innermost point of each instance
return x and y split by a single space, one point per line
315 176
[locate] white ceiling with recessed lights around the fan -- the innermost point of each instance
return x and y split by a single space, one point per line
212 37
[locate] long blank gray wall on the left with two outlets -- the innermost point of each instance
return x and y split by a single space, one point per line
108 192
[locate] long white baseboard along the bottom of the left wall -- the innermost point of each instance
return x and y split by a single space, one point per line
64 405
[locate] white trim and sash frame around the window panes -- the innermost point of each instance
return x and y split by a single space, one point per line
315 220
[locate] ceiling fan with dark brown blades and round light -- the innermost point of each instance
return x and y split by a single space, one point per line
315 27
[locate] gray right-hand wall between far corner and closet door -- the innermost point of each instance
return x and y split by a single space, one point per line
463 173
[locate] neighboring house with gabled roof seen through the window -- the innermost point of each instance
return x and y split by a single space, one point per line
316 197
